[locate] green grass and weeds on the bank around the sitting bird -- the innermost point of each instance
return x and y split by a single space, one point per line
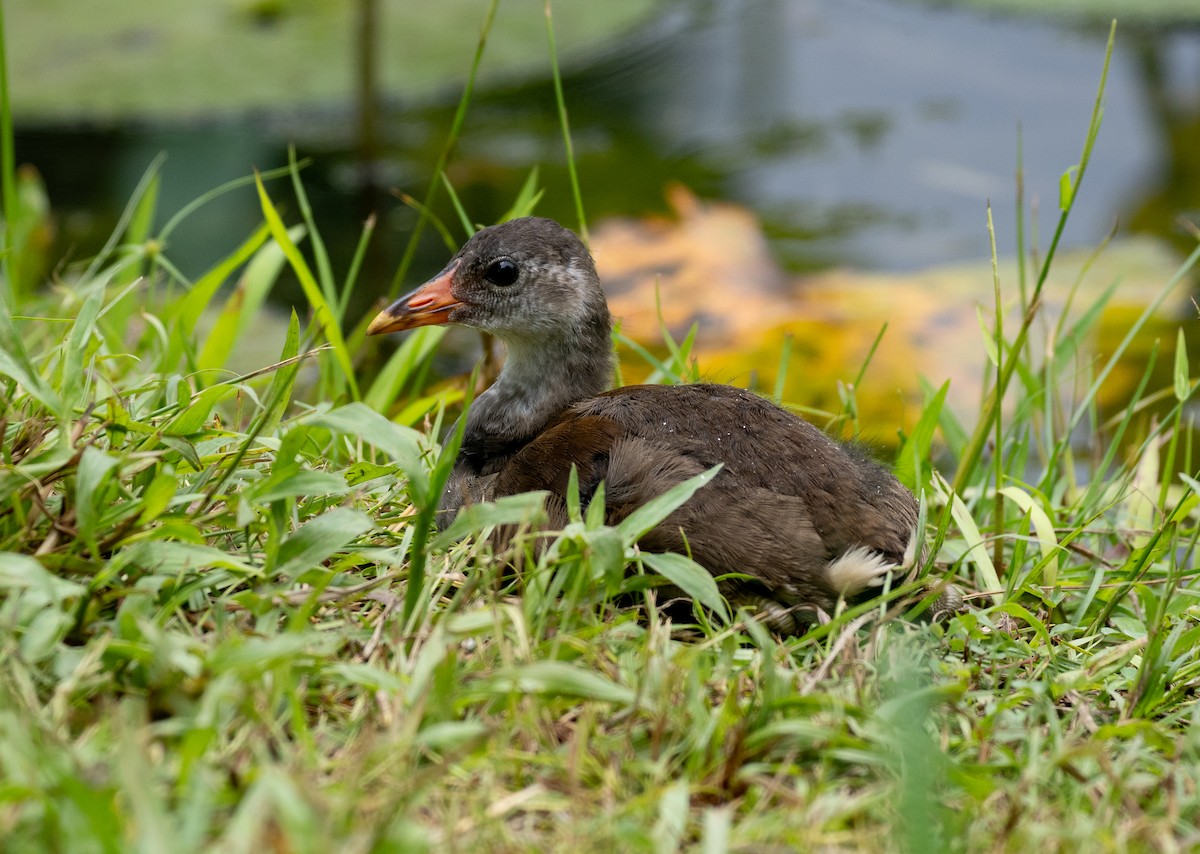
227 626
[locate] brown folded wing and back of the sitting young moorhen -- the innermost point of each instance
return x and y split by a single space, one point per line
787 497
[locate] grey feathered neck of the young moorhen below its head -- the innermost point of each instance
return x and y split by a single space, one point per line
539 381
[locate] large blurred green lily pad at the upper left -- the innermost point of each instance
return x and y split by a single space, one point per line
182 59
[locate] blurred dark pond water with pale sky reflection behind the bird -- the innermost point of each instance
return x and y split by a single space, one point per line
863 133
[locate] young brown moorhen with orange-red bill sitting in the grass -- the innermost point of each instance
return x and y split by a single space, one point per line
809 520
